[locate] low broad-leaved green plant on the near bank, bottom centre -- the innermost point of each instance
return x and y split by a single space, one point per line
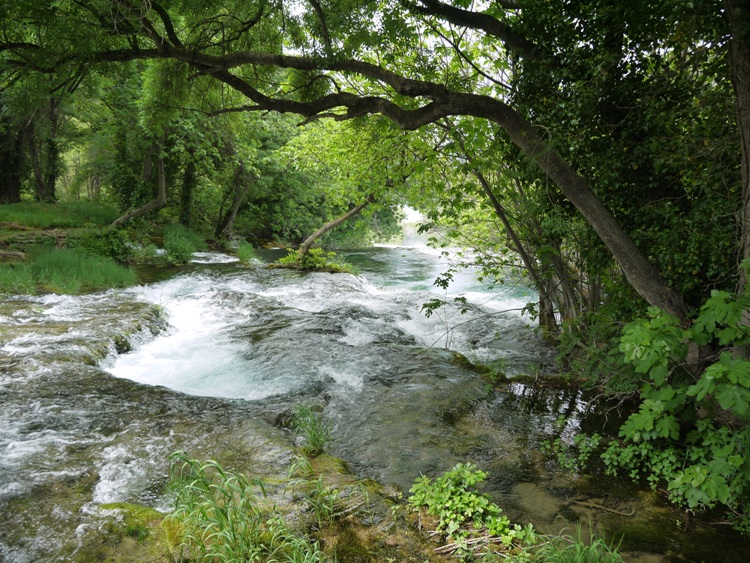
465 514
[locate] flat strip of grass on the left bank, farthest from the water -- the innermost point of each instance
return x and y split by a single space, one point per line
58 215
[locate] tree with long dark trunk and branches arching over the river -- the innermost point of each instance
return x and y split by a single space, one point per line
342 69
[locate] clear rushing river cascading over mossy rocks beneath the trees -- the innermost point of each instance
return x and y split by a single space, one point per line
96 391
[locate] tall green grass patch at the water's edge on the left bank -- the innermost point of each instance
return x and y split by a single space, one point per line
64 270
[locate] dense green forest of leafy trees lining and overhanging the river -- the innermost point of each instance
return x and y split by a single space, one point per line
598 150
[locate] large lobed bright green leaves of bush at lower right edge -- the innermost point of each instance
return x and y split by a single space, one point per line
691 430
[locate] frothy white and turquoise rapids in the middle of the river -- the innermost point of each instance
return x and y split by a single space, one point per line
253 334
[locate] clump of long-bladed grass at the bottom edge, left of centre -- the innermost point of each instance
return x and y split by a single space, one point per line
219 516
